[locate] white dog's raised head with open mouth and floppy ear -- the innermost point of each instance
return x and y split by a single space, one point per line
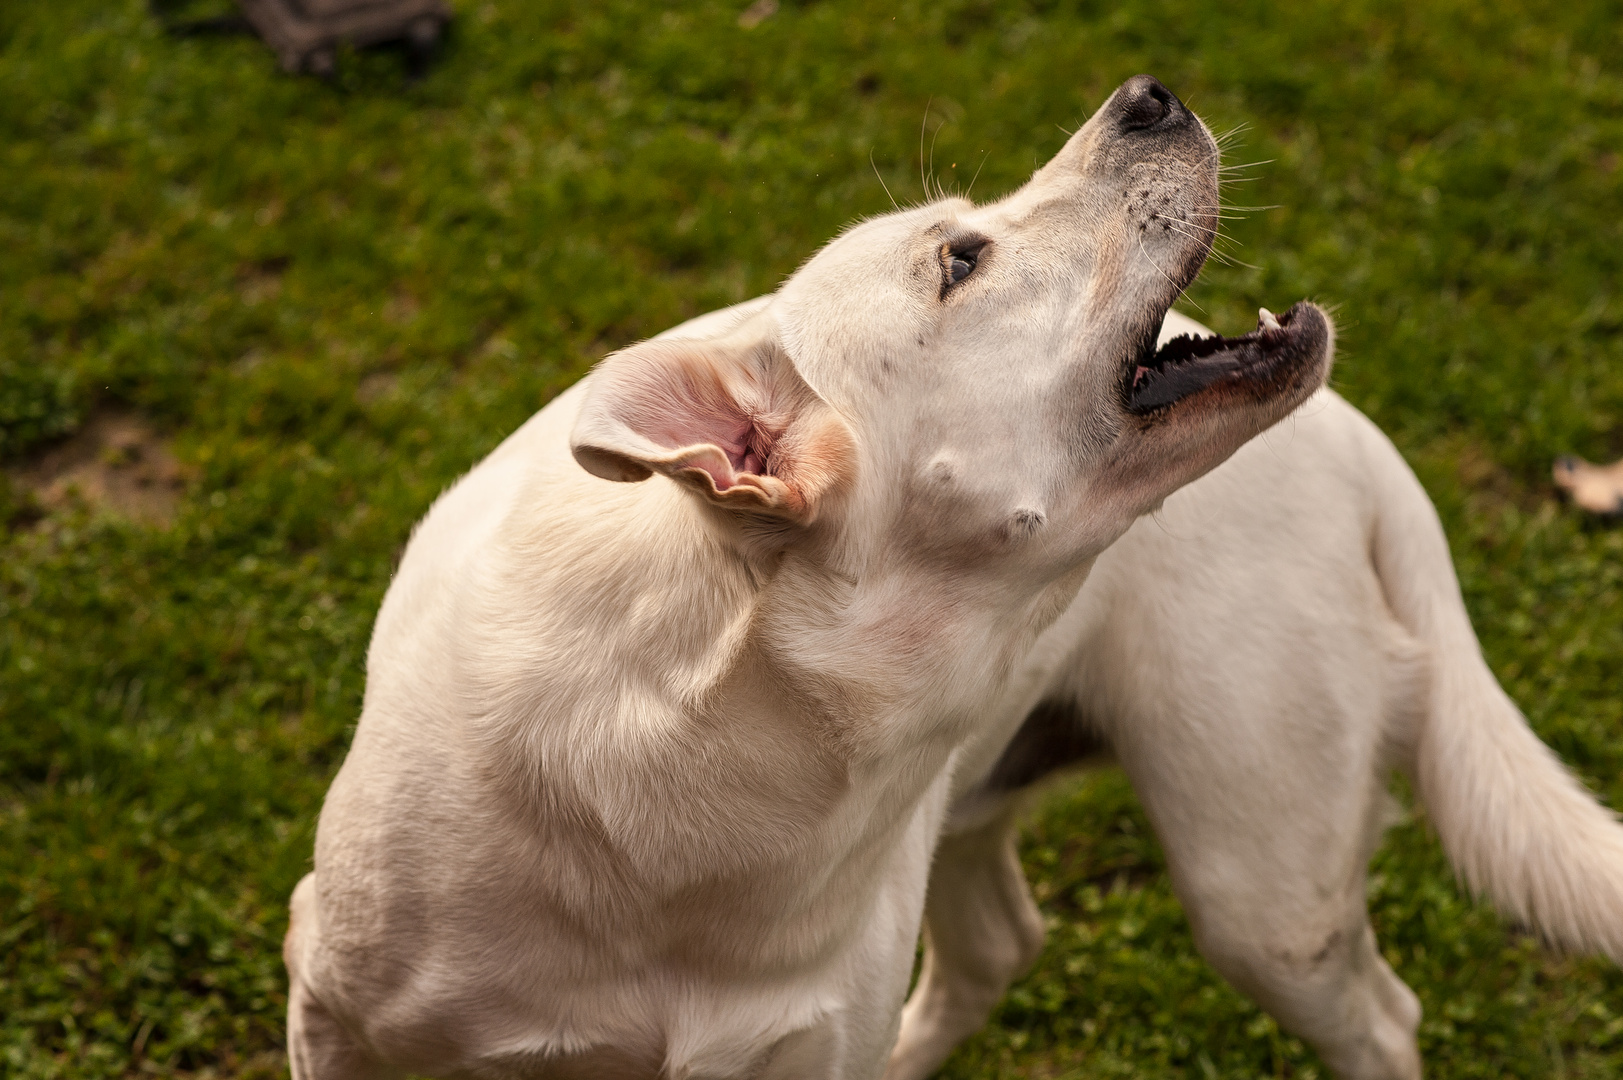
975 384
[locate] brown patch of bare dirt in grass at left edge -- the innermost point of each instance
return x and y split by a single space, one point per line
114 464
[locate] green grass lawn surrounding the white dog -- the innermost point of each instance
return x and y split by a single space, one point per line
337 298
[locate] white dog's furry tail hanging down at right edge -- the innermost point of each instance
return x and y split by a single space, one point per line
1517 826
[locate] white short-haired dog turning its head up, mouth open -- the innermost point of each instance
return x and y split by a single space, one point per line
650 775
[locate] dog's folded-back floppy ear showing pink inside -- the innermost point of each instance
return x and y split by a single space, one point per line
730 418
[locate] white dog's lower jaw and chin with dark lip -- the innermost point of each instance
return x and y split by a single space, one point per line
1281 361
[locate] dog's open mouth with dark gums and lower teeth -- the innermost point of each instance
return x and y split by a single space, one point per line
1259 365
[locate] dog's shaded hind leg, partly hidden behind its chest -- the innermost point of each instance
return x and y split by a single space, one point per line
983 931
